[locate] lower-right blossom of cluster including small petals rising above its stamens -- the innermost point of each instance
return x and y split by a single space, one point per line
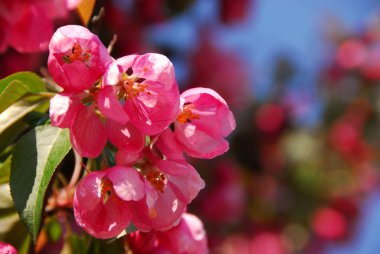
170 184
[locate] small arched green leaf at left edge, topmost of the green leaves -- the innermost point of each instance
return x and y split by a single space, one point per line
31 80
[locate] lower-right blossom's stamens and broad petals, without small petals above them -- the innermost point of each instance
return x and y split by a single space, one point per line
169 187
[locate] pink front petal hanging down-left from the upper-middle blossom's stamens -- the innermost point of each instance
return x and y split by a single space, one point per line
110 106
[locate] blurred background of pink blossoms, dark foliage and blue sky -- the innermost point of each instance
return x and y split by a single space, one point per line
303 80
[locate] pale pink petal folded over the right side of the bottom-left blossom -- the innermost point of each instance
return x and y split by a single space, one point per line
127 183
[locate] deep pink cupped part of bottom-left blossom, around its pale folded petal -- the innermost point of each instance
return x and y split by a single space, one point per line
100 218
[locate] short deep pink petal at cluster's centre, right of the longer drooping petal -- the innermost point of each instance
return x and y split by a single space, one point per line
125 136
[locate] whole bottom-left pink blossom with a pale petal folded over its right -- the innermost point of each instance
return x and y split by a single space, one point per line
102 200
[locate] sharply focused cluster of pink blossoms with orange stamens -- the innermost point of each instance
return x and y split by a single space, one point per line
133 103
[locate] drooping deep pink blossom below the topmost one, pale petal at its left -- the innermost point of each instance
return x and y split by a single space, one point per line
89 131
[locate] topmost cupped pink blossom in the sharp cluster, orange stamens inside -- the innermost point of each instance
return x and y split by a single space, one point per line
77 58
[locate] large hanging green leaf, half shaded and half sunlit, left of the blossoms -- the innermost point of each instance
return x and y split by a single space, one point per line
37 154
